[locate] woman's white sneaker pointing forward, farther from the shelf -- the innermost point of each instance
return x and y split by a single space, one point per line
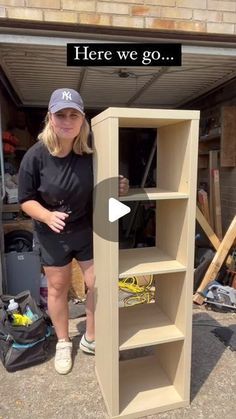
63 358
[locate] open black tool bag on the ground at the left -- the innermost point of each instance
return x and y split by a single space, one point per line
23 346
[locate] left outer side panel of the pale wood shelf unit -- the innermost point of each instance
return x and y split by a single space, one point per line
106 264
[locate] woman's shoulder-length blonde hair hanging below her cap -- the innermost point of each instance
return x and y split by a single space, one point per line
50 140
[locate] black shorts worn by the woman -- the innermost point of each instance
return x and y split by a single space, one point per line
58 249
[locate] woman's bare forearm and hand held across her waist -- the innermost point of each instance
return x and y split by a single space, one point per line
54 219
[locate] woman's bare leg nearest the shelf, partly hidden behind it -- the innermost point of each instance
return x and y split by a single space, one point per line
89 278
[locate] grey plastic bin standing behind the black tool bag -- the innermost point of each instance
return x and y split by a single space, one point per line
23 271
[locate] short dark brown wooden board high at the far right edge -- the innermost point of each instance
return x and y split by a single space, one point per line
228 137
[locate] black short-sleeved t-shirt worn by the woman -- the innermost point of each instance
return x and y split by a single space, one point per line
57 183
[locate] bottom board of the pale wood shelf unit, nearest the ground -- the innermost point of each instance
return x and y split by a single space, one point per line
145 388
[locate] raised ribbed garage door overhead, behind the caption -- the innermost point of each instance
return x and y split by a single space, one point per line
34 66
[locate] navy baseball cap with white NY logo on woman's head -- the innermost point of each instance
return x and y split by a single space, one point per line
65 98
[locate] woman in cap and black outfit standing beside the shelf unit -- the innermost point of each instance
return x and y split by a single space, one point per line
55 189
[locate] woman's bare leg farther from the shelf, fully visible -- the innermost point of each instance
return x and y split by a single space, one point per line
58 285
